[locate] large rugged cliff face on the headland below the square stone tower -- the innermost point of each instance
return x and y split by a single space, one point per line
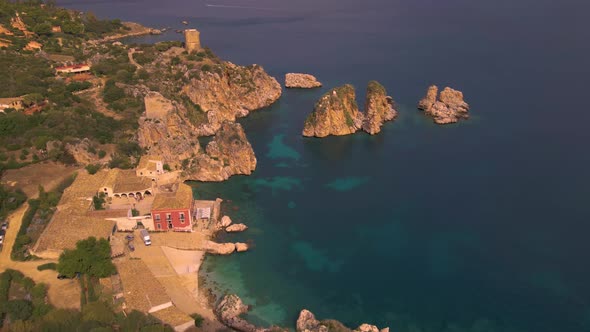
230 92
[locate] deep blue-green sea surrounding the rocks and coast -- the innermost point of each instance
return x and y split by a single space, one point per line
479 226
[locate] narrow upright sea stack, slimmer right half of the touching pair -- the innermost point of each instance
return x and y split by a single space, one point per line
378 108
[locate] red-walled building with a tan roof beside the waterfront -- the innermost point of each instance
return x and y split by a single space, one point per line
173 211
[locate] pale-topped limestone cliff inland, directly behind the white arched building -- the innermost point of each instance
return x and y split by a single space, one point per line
164 131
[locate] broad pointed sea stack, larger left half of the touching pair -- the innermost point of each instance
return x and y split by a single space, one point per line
335 113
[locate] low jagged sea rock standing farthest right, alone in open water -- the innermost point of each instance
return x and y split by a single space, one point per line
448 108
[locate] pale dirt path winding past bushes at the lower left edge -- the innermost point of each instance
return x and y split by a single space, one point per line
62 293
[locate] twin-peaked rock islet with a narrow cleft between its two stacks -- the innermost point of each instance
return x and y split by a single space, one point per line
336 112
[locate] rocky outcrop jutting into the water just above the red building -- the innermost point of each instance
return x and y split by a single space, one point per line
229 153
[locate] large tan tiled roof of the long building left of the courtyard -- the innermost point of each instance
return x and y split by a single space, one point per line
74 221
